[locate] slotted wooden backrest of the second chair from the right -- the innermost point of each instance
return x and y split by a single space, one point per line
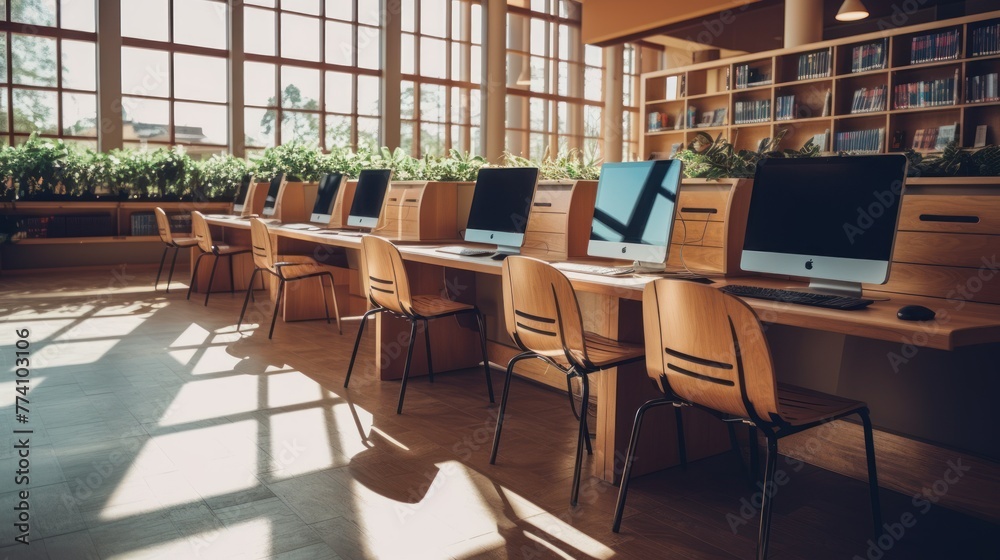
541 311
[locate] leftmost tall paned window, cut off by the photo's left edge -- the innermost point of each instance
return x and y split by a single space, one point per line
48 81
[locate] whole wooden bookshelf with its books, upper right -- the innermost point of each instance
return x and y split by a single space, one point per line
845 88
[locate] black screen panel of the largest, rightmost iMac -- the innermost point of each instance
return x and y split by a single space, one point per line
844 207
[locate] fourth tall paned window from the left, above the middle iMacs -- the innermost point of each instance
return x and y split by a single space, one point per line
441 67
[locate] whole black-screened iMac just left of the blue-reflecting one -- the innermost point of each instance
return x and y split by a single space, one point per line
500 205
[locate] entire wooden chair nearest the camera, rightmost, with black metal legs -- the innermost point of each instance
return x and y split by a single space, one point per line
707 349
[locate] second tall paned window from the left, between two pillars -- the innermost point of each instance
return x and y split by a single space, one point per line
175 74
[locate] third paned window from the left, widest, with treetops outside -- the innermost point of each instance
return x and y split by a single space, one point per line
312 72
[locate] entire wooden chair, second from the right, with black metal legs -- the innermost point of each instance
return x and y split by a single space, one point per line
543 318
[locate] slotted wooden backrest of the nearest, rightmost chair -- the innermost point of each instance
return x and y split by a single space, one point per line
708 348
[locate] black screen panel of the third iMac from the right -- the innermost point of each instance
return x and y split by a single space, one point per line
502 199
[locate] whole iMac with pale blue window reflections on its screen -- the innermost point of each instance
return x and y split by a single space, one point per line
634 212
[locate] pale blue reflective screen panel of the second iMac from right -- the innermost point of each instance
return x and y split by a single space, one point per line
635 202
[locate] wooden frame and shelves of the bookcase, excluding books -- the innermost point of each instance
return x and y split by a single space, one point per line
824 101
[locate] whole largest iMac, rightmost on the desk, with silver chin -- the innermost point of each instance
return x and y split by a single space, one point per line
830 219
